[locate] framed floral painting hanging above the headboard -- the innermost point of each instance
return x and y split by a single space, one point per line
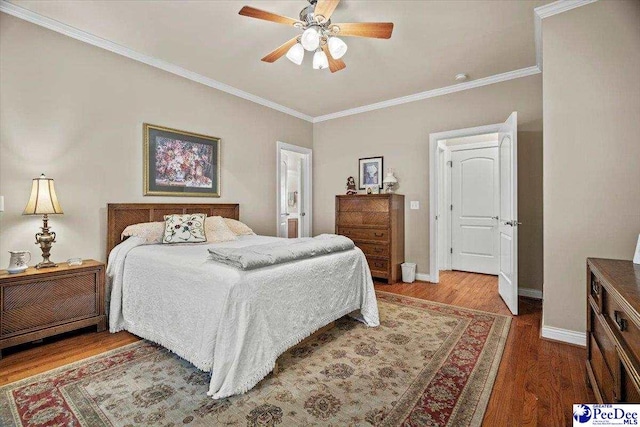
180 163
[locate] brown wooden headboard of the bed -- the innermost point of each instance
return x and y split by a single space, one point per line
121 215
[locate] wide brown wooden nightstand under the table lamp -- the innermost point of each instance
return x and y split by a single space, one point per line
40 303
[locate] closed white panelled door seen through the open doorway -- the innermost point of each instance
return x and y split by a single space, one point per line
475 202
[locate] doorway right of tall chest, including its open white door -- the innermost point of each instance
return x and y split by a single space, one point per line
473 204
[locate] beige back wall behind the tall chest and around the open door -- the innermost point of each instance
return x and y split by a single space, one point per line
401 135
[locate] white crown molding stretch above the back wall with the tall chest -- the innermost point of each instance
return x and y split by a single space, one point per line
497 78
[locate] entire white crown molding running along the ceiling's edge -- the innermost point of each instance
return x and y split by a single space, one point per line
540 13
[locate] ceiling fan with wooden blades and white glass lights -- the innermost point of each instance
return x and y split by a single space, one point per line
319 34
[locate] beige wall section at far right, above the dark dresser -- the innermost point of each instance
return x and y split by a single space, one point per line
591 149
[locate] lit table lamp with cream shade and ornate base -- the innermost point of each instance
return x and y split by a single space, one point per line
43 201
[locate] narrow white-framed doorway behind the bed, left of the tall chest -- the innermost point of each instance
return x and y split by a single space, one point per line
294 191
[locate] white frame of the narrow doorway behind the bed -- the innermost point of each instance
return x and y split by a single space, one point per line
307 154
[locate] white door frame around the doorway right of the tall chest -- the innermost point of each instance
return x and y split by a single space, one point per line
434 169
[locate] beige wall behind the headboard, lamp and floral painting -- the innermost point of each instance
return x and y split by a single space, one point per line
75 112
